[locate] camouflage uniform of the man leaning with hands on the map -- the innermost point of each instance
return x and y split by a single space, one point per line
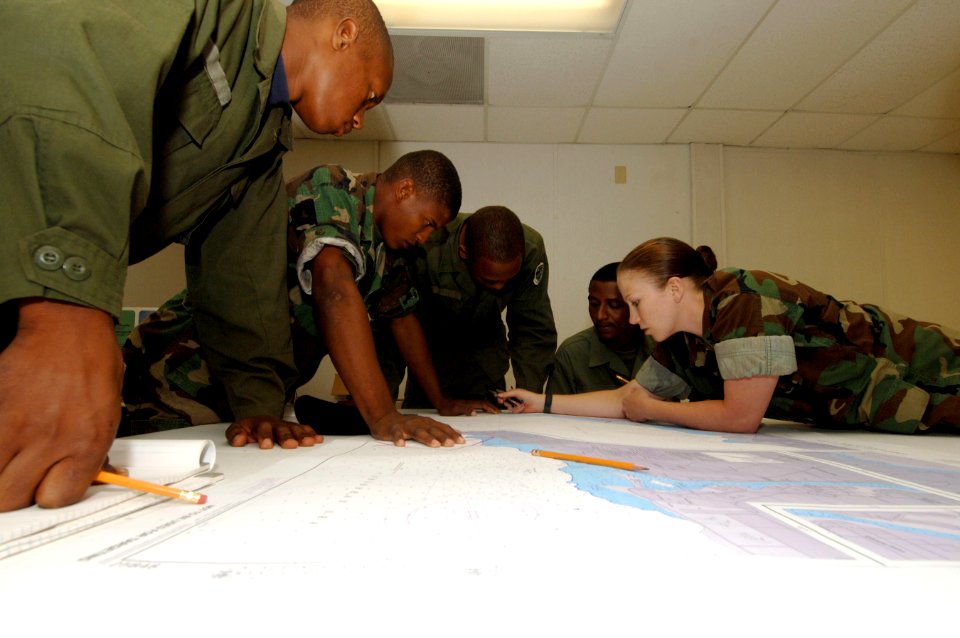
167 378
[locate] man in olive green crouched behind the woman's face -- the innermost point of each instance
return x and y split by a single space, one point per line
607 354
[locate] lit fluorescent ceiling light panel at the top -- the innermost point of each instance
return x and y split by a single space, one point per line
595 16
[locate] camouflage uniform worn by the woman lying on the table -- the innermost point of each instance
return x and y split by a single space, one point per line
838 362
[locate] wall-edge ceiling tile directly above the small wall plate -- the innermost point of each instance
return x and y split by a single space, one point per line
629 126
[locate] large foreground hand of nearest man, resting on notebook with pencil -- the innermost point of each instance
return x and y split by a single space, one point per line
60 382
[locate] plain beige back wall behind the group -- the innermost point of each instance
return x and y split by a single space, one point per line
875 227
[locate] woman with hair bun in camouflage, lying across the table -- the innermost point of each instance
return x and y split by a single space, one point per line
743 344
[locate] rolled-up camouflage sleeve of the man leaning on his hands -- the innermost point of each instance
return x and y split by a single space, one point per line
325 211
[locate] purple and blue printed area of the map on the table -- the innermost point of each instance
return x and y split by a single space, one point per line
790 497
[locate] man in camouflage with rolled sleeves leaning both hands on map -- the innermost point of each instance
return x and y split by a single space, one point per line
365 218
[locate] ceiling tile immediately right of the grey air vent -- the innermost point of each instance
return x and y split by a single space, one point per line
545 71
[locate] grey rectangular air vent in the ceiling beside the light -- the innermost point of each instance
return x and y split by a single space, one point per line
437 70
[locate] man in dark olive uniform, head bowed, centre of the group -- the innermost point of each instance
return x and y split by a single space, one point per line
471 271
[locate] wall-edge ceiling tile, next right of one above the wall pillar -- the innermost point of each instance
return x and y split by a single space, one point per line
813 130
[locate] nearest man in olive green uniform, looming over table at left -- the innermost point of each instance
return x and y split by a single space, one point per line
125 126
